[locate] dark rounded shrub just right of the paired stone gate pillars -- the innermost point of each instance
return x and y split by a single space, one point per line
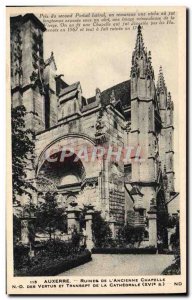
102 234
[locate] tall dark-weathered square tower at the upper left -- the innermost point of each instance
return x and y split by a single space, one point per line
27 66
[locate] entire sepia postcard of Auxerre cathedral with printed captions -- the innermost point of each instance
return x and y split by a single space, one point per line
96 124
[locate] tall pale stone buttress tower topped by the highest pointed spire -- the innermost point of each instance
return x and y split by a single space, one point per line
143 133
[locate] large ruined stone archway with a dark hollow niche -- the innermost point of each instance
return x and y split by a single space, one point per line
71 174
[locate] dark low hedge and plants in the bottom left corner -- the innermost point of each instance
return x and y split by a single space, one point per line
52 253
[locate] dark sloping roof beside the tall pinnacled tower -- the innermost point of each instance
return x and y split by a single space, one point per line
122 92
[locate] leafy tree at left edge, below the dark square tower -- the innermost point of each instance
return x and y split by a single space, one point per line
22 152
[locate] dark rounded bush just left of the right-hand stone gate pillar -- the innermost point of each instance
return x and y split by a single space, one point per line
130 235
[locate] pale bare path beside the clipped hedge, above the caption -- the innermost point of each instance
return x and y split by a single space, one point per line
122 265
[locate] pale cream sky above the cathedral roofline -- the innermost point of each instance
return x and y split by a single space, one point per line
103 59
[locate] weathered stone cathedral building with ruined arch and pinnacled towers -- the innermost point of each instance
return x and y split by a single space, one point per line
135 112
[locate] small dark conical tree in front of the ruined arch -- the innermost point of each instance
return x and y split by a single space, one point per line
49 216
